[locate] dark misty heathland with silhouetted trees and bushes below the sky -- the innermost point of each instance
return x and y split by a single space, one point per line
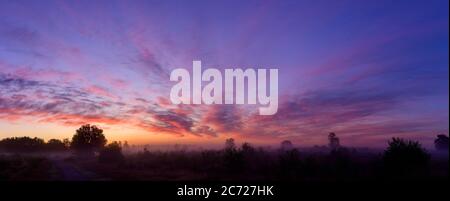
88 156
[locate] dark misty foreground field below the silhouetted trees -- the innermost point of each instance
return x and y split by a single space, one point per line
241 164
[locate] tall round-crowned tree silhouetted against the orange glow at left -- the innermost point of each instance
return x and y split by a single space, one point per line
88 139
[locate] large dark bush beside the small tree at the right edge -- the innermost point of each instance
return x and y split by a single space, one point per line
405 158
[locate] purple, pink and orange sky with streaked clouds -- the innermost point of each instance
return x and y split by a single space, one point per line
366 70
